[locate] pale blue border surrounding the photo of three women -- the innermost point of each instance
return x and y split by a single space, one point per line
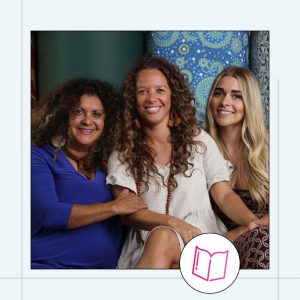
17 281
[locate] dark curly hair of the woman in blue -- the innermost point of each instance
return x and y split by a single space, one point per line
50 118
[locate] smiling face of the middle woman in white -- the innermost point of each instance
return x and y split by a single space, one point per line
153 97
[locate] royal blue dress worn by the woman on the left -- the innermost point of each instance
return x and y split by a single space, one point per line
55 187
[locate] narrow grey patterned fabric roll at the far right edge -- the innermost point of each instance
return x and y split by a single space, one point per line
260 65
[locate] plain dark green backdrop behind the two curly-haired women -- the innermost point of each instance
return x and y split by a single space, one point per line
105 55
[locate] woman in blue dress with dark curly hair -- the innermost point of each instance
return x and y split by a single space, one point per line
75 221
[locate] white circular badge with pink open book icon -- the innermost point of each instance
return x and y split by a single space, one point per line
209 263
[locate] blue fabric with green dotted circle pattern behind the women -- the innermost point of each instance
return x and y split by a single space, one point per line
200 55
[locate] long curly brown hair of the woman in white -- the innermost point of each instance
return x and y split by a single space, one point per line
133 147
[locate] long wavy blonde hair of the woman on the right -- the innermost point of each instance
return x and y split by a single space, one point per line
254 153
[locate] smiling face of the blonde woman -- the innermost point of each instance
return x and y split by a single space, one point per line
227 105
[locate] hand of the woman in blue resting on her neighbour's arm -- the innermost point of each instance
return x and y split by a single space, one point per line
127 203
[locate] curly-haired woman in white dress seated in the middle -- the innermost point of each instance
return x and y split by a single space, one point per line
171 164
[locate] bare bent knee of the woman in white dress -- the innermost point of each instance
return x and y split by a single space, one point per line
162 250
